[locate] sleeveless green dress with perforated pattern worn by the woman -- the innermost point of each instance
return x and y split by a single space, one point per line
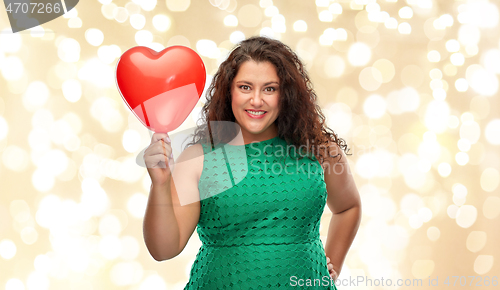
259 219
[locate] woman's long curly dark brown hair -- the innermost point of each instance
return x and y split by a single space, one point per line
303 124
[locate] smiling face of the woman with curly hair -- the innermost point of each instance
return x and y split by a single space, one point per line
255 93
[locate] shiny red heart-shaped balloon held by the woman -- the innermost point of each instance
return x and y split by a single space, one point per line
161 88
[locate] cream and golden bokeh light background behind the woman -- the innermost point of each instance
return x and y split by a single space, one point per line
411 85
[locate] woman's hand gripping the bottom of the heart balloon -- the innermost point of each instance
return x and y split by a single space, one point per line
159 159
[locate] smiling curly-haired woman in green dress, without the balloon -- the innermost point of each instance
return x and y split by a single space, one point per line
257 216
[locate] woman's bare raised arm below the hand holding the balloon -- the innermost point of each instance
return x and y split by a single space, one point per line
173 207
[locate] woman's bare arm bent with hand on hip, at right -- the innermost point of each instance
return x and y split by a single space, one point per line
345 204
